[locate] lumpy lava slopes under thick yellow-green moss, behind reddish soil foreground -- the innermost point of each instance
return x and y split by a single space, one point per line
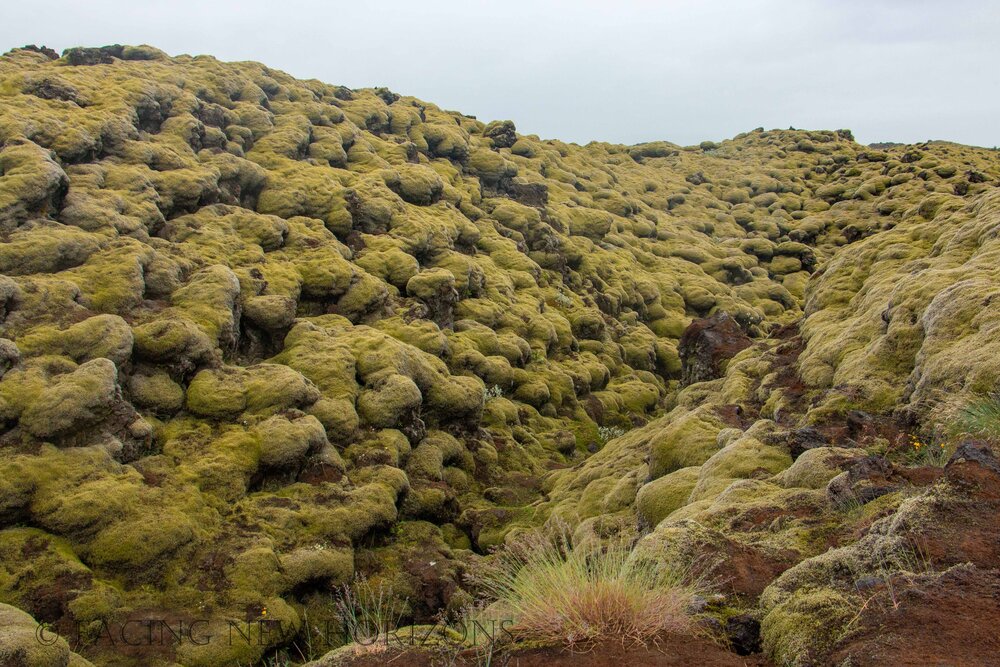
260 334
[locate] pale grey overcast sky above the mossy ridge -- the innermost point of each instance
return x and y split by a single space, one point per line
611 70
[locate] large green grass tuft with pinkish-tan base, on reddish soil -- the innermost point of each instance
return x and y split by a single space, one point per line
577 595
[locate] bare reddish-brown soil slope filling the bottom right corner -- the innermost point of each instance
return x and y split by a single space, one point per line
949 617
